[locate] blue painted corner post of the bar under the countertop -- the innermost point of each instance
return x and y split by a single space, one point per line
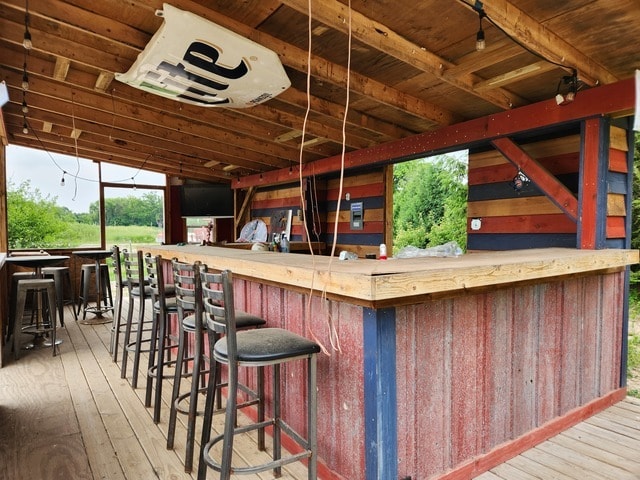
380 398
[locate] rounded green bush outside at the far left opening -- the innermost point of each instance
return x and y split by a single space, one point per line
34 221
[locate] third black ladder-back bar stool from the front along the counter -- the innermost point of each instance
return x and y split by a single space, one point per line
164 305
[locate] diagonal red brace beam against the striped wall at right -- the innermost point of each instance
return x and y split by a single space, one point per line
550 185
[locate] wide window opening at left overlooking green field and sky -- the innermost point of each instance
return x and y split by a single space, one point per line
53 200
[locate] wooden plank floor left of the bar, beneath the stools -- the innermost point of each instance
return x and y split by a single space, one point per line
72 417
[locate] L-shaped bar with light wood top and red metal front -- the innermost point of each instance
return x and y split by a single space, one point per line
441 367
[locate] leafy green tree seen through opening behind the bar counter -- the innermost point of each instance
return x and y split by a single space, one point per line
429 202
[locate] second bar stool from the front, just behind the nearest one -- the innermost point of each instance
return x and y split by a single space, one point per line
192 324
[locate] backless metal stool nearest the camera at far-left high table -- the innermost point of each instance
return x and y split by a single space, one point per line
39 286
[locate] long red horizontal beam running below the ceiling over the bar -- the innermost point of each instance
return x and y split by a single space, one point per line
609 99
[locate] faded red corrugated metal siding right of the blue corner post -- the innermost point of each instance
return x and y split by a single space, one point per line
480 370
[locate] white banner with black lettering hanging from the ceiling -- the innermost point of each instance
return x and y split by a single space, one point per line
193 60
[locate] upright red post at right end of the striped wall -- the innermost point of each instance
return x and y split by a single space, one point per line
592 223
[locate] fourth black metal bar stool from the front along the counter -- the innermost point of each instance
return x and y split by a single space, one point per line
133 269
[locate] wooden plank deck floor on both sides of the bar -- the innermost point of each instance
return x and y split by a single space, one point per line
73 417
